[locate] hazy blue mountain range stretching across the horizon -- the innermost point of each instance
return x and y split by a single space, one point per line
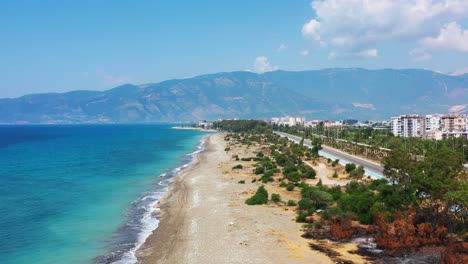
321 94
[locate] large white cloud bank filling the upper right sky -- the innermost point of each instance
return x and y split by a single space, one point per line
355 25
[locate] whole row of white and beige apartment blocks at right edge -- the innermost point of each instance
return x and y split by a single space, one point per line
434 126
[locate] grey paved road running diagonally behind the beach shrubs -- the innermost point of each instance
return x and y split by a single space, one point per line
372 168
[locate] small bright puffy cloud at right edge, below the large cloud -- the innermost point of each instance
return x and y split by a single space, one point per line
451 36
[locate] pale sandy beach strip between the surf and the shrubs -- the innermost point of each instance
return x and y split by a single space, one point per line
204 218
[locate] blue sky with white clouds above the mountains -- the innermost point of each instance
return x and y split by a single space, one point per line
59 46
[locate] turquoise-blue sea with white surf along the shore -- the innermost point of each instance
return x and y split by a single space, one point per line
85 193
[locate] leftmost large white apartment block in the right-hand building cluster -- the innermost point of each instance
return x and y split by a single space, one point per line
408 126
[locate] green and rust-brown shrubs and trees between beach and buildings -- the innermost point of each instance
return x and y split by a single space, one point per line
422 201
